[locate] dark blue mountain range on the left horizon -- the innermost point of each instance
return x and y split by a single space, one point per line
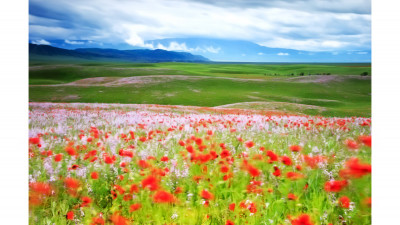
137 55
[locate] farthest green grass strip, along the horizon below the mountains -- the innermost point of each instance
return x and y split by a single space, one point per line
69 72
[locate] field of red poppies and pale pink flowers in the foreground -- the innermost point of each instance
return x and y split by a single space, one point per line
150 164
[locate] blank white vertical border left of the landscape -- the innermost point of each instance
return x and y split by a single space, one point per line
14 112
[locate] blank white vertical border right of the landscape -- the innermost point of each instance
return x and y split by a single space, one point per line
385 112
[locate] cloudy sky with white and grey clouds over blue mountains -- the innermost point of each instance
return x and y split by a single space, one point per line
305 25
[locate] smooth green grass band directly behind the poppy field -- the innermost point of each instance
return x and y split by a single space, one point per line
351 97
